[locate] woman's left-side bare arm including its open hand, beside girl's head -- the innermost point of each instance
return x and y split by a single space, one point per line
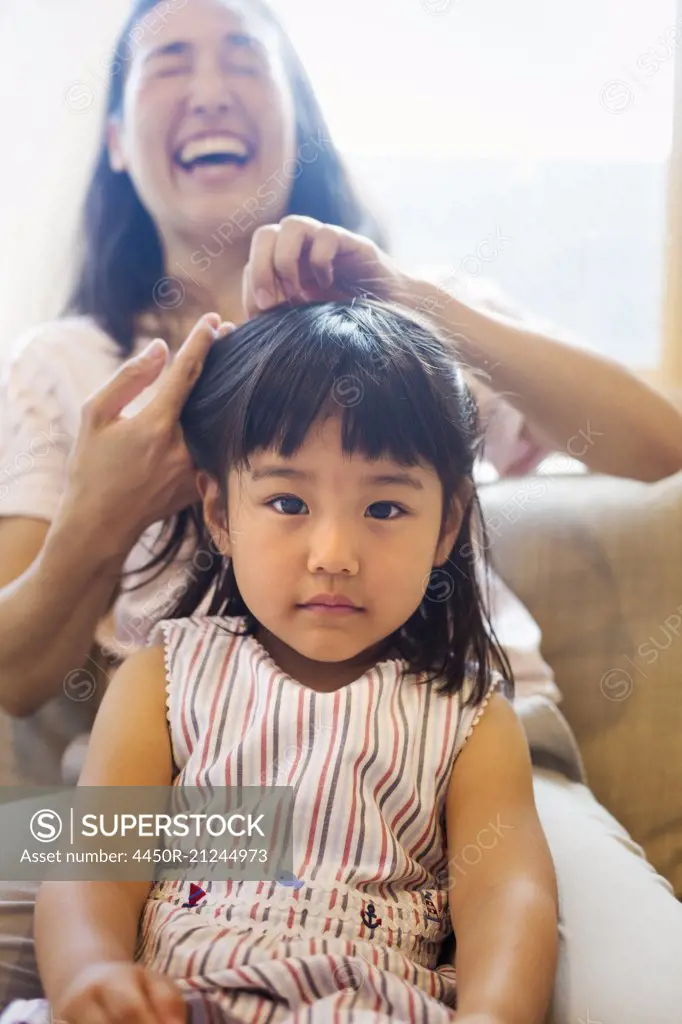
124 475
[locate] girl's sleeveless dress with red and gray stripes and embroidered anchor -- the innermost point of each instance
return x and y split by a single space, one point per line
370 766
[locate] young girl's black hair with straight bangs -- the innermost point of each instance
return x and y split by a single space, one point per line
400 395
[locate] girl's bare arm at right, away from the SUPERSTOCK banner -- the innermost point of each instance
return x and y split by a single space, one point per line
503 897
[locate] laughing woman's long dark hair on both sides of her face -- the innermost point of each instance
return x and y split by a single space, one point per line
122 261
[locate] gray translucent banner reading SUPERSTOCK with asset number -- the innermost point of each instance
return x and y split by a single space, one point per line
140 834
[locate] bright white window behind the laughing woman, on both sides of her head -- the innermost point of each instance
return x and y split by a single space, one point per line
548 125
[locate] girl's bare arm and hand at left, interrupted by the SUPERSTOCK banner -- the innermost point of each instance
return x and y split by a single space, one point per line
87 929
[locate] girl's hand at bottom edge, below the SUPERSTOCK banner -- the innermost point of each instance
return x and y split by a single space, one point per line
109 994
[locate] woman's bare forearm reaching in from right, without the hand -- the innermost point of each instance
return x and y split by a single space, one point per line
575 402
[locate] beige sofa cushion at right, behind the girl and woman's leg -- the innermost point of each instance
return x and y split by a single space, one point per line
599 563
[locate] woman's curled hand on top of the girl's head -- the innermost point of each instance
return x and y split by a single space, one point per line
304 261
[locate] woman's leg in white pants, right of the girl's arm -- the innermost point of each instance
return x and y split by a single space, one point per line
621 926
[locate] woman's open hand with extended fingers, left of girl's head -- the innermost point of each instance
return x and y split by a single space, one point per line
130 473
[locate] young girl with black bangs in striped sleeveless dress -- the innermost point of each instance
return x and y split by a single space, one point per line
335 445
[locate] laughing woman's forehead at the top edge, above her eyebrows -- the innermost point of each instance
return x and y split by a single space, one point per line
188 21
